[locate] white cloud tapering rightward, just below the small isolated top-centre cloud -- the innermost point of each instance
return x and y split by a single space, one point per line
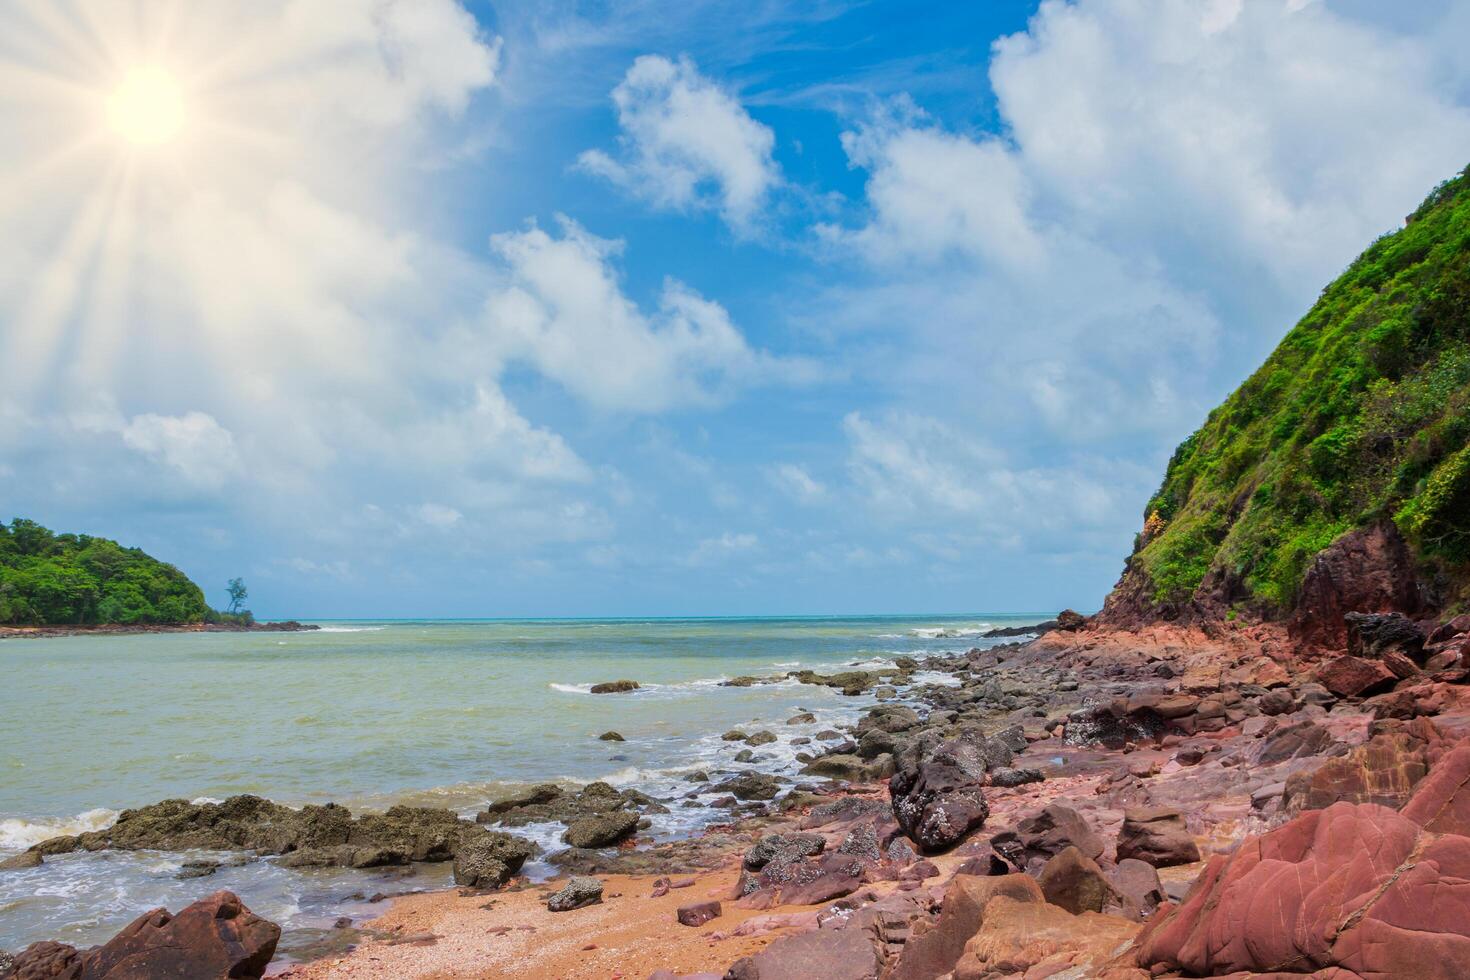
565 312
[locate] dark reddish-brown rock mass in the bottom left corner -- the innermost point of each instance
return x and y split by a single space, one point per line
215 937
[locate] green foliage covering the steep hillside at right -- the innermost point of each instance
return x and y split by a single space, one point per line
1360 417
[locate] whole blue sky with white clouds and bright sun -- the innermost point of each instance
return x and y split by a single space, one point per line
431 309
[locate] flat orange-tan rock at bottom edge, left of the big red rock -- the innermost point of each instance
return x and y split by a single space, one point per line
1041 940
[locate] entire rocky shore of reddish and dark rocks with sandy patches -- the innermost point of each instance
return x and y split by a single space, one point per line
1097 803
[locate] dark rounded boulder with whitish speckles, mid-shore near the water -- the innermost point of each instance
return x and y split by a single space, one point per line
939 800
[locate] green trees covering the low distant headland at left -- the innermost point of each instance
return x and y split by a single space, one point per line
49 580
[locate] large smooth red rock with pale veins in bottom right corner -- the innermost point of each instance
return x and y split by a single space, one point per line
1355 887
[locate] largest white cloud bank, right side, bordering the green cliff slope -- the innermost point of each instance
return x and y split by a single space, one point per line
1175 184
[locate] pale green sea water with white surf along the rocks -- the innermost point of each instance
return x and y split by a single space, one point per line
373 715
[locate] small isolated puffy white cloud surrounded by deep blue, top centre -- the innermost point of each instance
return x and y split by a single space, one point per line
689 145
